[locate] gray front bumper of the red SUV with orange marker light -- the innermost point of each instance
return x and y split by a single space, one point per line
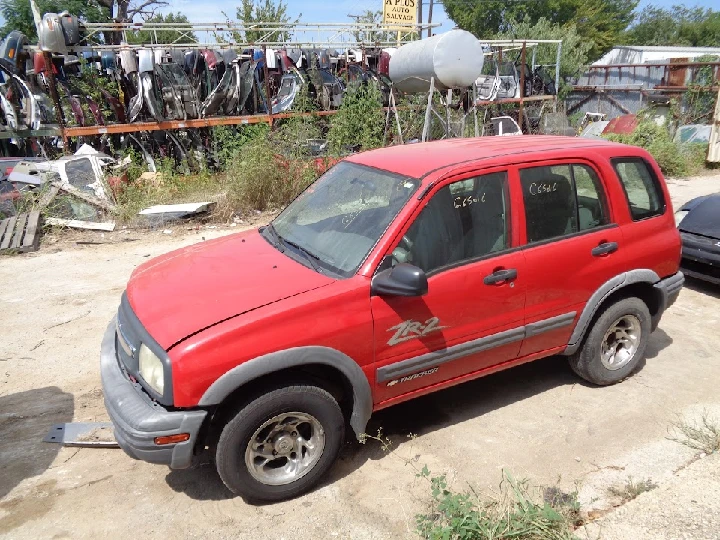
137 419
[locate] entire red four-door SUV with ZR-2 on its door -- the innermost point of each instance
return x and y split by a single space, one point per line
401 271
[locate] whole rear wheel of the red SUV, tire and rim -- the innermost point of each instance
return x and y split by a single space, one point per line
615 344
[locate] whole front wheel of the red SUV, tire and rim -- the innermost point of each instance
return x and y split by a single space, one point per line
280 444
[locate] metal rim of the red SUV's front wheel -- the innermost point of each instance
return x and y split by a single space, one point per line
285 448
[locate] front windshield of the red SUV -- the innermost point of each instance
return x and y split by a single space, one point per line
339 218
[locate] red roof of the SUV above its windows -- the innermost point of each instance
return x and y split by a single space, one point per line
416 160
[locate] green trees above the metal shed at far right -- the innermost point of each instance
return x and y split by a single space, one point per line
677 25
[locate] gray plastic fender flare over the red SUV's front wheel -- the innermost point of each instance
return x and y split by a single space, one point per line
296 357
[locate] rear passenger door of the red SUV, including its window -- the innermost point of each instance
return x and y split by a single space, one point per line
572 247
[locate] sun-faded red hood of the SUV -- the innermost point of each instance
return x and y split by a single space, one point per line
188 290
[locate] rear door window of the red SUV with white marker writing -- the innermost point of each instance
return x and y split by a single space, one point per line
561 200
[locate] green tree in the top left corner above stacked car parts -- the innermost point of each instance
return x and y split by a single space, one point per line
18 15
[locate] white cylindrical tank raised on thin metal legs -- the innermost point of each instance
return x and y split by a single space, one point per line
454 59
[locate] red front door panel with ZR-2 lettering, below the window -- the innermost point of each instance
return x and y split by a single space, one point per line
458 309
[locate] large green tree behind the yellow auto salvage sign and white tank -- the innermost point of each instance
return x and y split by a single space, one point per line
600 21
